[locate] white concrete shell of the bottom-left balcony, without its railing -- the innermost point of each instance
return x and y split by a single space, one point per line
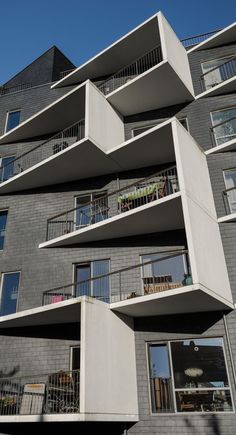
97 399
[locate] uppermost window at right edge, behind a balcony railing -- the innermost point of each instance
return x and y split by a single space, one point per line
215 72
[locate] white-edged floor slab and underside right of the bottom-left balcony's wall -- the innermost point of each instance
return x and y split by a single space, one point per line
189 299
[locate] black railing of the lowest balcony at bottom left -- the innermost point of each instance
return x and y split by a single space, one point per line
40 394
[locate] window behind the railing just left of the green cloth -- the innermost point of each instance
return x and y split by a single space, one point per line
88 212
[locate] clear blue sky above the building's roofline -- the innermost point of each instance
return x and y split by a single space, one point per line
81 28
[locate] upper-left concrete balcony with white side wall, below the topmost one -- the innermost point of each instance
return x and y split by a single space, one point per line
78 117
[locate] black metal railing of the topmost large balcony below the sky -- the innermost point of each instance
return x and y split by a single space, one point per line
129 72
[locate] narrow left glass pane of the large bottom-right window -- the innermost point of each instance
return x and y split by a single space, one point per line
160 379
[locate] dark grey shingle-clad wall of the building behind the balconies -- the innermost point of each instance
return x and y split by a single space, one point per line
44 269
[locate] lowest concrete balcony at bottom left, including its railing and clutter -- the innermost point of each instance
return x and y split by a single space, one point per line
88 396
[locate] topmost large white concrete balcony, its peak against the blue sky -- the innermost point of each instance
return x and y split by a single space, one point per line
146 69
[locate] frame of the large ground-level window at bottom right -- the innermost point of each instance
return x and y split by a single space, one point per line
149 343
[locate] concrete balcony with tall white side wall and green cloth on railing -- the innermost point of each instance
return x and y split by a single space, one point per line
168 200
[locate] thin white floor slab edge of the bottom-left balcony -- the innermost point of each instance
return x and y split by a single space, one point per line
69 417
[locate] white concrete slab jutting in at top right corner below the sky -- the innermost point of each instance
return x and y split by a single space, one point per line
223 37
